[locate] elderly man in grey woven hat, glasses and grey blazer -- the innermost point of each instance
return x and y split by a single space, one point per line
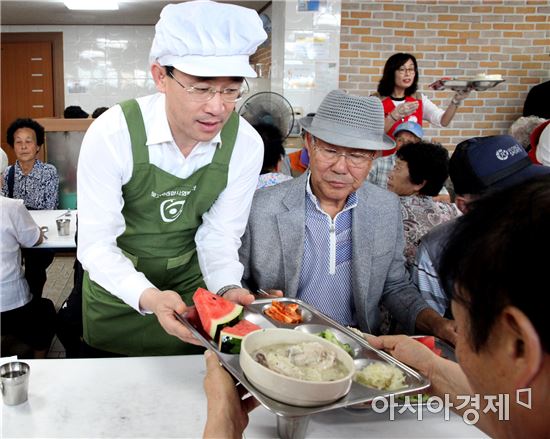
331 240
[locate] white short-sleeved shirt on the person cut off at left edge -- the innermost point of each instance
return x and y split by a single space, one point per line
17 230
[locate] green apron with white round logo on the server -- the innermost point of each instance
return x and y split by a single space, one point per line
162 213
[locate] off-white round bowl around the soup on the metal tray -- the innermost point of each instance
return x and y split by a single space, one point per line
291 390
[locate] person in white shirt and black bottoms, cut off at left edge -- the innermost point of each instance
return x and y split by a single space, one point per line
24 319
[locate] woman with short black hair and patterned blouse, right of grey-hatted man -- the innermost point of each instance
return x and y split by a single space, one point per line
419 173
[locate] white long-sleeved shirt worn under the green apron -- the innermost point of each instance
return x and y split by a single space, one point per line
105 165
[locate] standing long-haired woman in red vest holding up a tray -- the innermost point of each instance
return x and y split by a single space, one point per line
397 90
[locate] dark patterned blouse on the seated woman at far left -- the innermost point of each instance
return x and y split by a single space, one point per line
38 189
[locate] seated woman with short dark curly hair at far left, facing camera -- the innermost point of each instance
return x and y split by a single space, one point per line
35 183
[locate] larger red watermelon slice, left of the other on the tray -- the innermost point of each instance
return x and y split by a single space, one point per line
215 312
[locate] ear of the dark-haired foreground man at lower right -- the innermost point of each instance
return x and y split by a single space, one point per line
523 349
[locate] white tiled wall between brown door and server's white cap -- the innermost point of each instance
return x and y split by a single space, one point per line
103 65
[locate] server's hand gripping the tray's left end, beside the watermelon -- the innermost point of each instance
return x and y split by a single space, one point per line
165 304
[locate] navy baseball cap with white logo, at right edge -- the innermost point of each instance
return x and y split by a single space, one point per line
482 163
